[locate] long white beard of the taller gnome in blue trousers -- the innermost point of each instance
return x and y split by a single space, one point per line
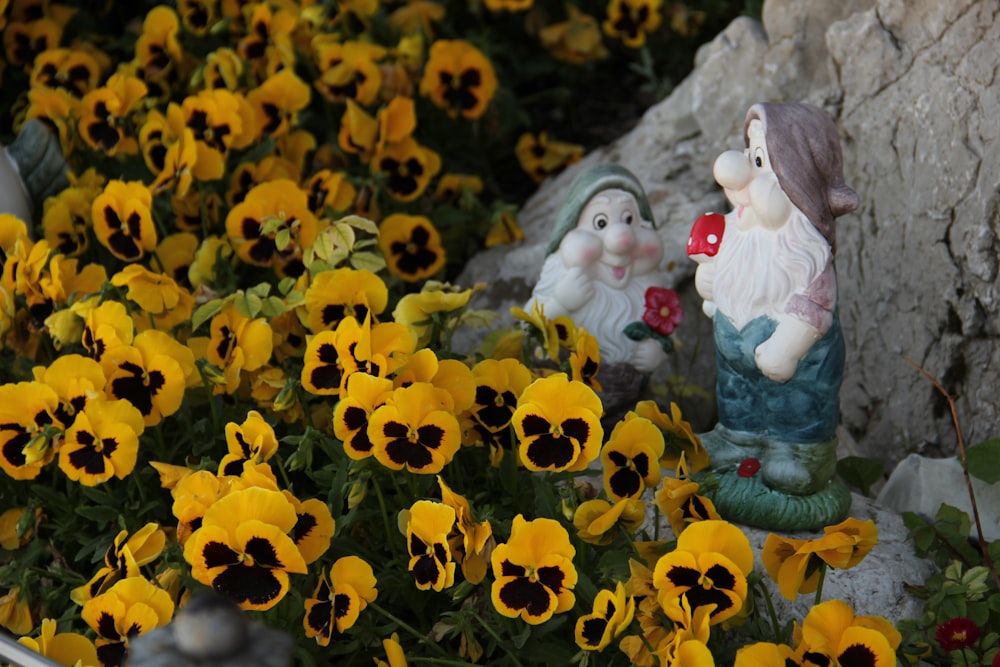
758 270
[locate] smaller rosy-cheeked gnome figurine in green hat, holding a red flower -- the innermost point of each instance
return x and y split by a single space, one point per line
603 254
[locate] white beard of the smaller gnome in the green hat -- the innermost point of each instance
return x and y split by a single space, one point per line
606 315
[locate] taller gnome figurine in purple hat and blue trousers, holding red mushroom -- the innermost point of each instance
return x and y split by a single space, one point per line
771 289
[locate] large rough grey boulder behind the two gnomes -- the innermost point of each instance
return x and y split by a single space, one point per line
912 87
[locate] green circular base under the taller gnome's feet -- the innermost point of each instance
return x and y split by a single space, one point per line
750 502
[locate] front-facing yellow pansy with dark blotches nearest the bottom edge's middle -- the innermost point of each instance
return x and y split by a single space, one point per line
533 571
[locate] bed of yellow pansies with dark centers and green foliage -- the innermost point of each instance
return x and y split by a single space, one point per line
227 359
